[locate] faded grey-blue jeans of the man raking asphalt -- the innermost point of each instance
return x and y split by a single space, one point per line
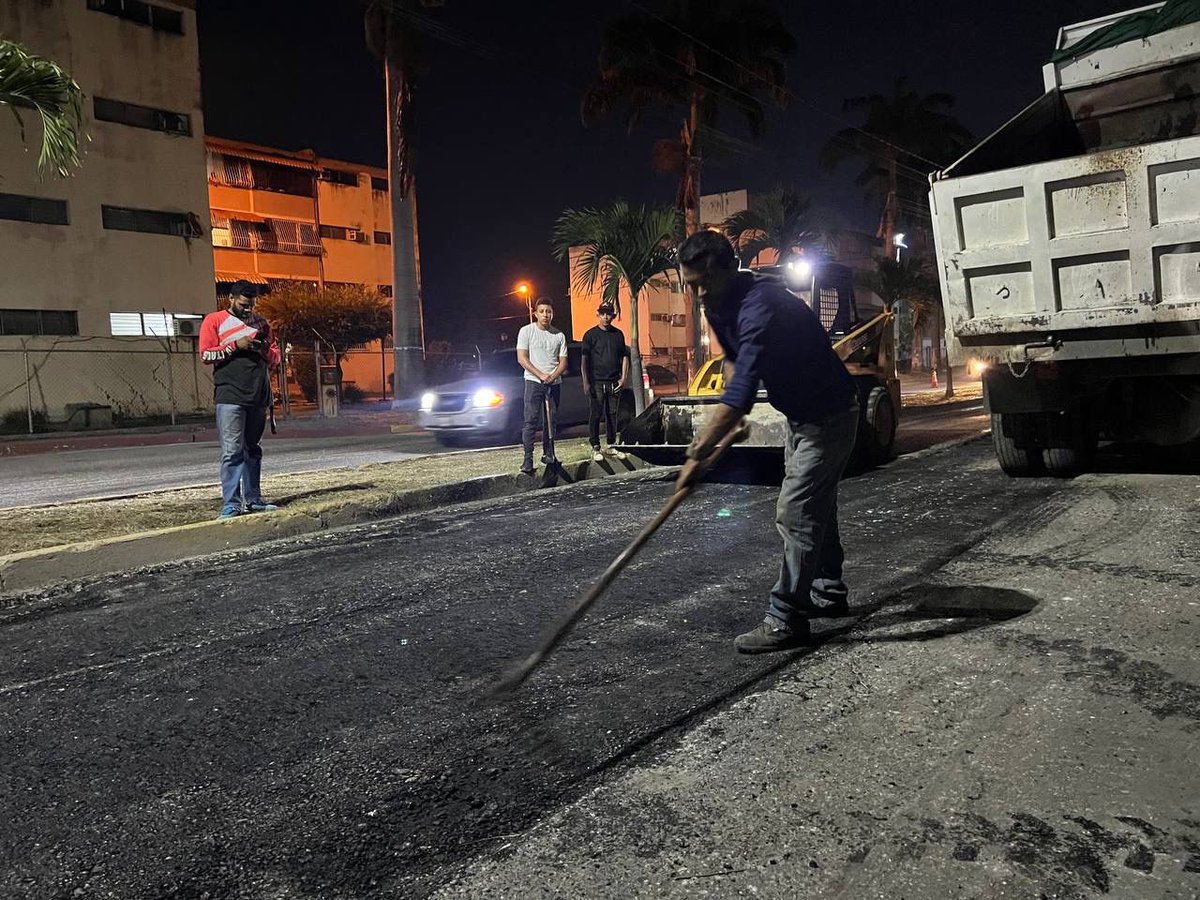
807 518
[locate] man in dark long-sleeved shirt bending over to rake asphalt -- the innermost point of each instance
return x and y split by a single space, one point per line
772 338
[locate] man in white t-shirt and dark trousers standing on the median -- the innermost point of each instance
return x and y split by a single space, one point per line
542 352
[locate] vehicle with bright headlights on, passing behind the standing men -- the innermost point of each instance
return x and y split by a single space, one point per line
490 406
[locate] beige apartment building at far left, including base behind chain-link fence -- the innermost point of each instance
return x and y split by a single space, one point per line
123 247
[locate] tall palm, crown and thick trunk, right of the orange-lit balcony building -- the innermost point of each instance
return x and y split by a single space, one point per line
393 35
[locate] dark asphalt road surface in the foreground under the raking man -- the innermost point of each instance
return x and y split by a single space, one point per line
1011 712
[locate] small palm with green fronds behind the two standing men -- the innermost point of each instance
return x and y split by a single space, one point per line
621 245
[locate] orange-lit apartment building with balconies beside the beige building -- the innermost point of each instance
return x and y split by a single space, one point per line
281 217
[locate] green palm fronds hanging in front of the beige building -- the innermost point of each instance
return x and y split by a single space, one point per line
35 83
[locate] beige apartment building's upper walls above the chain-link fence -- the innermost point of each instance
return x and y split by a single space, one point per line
128 235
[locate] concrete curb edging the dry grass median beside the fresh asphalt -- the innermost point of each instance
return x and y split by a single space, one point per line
71 562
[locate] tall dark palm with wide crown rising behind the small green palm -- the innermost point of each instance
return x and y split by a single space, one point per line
699 57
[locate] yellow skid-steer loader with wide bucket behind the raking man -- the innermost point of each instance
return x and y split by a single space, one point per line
867 347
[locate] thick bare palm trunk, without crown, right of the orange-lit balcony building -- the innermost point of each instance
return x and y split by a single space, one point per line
409 326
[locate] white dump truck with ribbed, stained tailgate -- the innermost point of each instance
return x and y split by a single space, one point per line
1069 248
